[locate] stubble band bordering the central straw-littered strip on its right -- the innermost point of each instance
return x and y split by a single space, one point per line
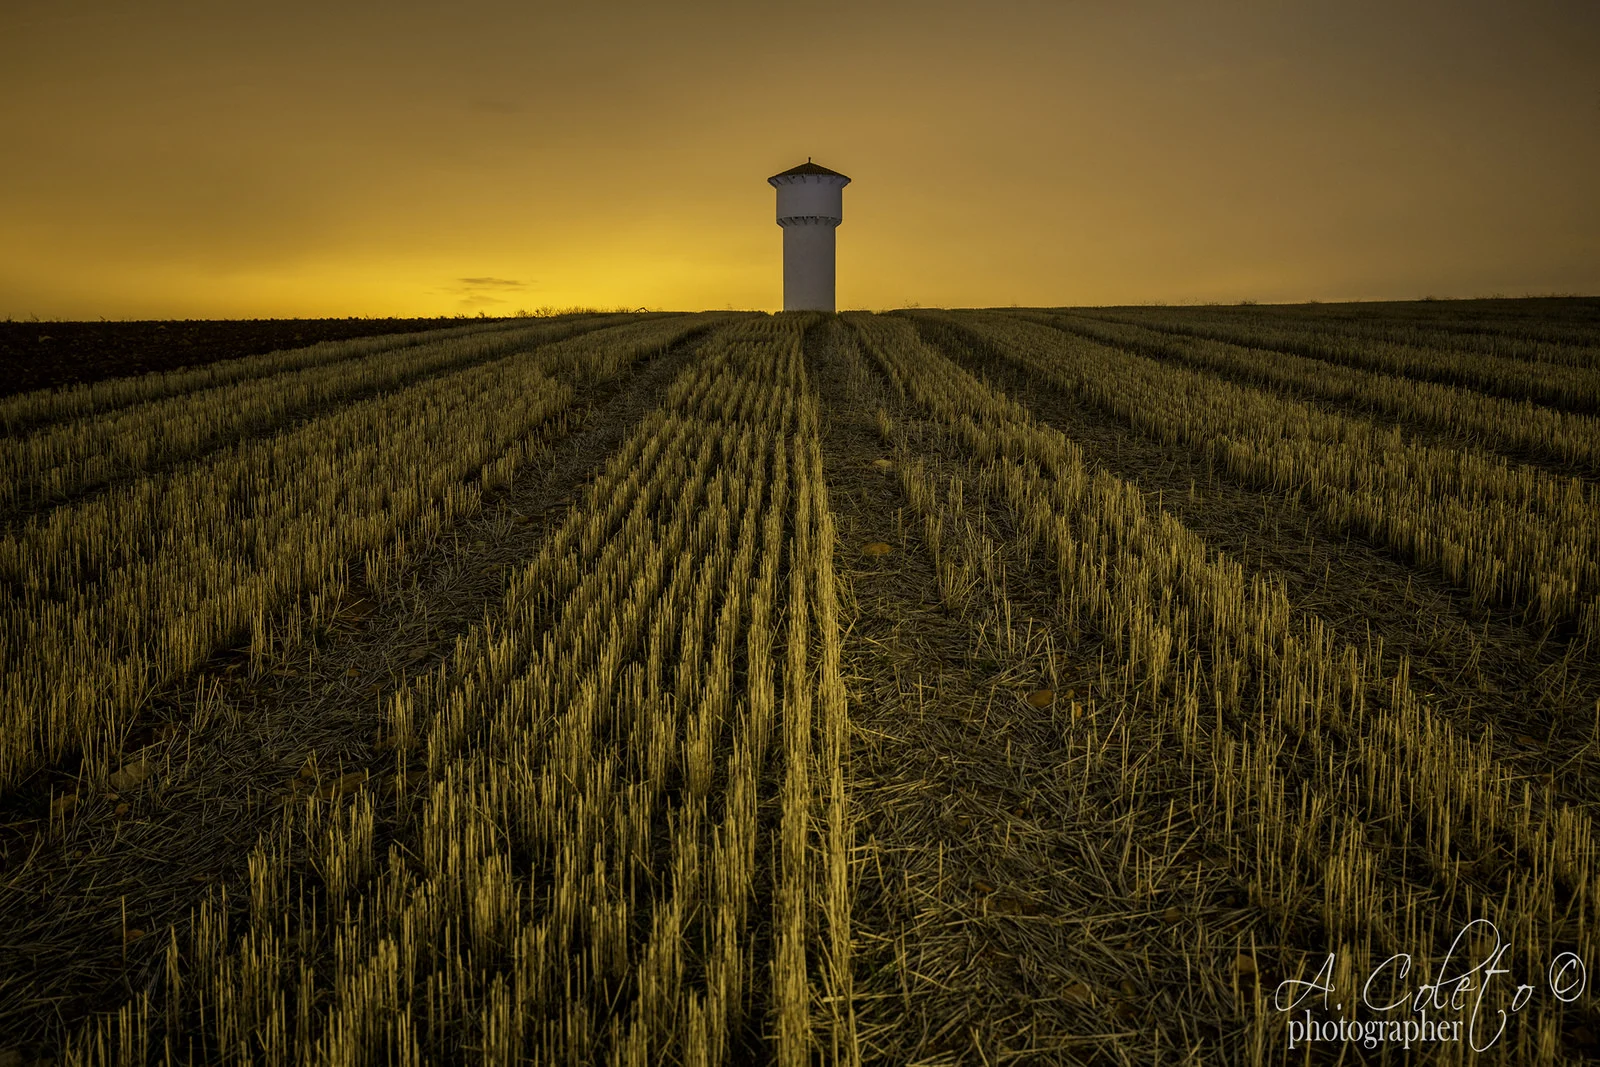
1343 796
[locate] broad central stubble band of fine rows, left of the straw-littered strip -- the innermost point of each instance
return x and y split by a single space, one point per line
580 877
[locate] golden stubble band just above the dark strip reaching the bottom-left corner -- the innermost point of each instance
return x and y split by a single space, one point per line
122 593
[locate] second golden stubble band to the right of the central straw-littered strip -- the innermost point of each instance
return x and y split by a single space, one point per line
1506 533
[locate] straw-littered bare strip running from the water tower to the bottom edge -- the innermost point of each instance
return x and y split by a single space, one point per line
1006 906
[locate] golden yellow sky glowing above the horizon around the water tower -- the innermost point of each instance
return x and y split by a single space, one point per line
183 159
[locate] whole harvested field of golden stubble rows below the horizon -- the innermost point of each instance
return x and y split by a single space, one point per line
1148 685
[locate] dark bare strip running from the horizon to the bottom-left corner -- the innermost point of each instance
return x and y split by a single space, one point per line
87 903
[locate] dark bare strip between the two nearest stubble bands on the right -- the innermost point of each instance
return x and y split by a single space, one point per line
1540 695
